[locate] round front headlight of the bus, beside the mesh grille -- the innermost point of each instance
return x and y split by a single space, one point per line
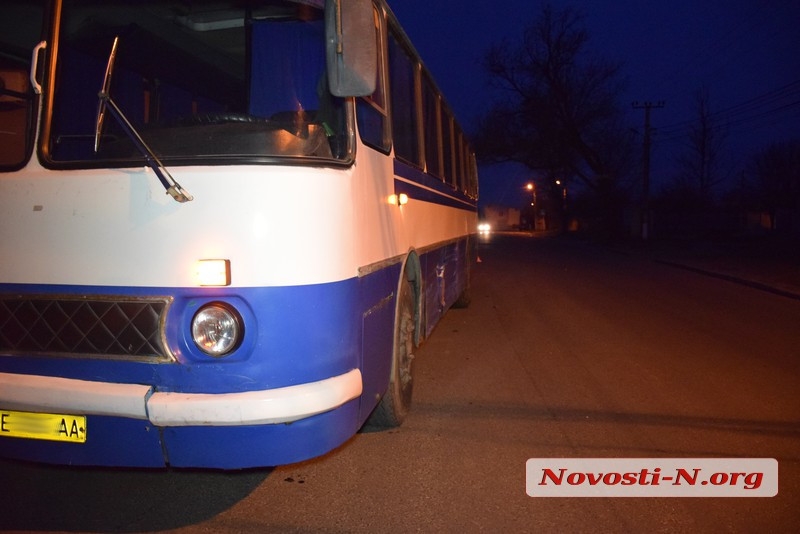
217 329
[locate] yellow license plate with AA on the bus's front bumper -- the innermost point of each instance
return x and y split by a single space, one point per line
49 426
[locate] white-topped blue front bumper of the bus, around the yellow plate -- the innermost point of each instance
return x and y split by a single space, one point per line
131 425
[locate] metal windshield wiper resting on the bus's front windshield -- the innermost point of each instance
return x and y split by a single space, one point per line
107 103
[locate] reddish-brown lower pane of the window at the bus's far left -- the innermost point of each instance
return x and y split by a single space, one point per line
15 108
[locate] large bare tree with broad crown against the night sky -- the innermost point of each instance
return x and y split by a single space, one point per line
559 110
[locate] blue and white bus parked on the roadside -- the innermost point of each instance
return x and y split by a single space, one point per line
225 228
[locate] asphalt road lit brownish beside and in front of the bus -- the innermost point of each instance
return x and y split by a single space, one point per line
568 350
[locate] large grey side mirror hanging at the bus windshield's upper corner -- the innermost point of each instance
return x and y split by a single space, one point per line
351 47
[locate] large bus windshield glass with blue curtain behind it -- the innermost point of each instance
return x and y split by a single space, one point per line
198 80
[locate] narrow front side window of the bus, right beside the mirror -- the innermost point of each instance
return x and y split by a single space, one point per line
371 110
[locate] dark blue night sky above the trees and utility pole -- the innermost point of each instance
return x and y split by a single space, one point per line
746 52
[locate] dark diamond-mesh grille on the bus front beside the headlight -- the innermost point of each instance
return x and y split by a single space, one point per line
117 328
